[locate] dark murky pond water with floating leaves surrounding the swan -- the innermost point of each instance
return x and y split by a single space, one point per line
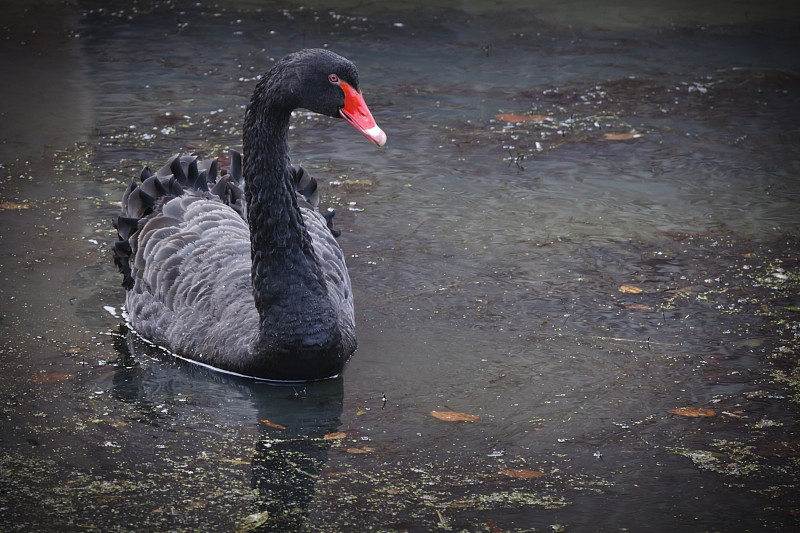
583 229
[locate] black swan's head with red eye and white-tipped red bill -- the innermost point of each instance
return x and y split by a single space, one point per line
327 83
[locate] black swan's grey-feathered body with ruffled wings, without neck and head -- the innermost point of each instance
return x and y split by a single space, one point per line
184 250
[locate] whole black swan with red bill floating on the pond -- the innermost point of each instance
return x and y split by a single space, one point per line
241 272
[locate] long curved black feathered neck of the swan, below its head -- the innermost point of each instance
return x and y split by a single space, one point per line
288 285
